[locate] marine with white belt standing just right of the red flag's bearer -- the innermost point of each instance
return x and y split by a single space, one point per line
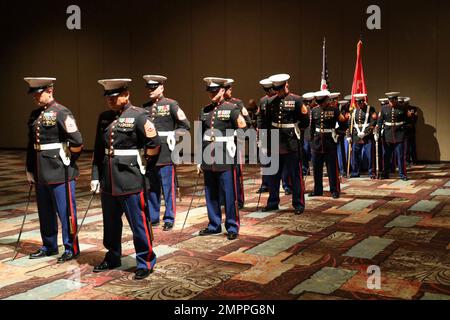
392 121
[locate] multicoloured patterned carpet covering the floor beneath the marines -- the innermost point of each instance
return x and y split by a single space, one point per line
402 227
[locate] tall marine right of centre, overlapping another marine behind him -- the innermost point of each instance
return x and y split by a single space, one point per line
286 113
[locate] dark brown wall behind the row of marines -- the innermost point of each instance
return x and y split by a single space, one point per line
246 40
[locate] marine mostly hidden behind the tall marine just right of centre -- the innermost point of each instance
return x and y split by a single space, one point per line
263 126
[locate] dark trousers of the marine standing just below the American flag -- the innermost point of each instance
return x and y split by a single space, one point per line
330 158
